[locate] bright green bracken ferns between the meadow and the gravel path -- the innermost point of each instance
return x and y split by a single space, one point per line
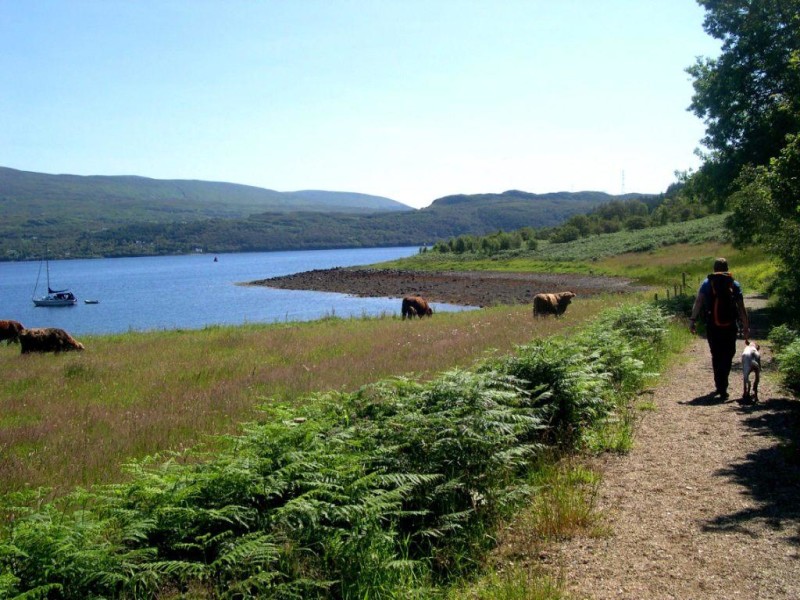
386 492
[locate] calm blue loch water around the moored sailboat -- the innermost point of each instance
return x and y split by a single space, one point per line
187 292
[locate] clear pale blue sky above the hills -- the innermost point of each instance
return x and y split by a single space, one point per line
409 99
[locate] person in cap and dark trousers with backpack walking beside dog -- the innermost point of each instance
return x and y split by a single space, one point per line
721 303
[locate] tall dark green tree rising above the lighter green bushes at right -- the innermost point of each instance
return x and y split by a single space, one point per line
749 96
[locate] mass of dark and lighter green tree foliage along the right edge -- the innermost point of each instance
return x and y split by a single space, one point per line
749 98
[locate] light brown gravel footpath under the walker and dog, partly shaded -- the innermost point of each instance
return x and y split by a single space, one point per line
707 504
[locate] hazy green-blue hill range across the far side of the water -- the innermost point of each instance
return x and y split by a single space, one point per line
135 216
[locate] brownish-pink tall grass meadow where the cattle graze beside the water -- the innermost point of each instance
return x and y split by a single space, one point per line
71 419
